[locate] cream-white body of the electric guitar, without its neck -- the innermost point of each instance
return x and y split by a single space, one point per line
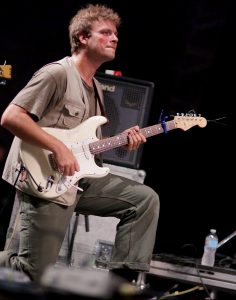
43 177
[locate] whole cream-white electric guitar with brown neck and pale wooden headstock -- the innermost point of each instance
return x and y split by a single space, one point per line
43 177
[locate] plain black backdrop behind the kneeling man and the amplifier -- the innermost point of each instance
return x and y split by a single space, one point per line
187 48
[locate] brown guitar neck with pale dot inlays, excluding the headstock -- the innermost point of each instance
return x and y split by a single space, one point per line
122 138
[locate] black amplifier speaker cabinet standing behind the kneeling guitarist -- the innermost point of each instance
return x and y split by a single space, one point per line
127 103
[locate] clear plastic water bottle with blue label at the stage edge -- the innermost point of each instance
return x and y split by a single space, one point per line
211 243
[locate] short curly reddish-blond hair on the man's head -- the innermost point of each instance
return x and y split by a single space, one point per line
82 22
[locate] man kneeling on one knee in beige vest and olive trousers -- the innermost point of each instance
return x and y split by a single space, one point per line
62 95
